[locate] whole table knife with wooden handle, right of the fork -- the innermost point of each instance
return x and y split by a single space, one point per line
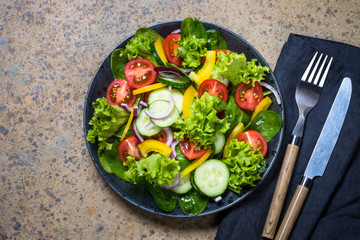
320 156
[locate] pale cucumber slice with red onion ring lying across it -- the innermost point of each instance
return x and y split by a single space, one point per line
159 107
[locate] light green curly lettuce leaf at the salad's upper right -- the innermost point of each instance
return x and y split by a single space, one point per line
237 69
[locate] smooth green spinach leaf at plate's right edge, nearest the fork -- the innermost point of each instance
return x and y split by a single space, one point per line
268 123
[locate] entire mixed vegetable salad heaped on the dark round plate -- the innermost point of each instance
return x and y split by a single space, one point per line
185 116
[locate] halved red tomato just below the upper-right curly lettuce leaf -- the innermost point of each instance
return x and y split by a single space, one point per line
248 97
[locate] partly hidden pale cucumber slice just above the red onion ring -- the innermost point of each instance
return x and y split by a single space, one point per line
164 93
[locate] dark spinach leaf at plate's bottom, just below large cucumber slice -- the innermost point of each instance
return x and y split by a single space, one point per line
193 202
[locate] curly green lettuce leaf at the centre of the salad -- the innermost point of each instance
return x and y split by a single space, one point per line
201 127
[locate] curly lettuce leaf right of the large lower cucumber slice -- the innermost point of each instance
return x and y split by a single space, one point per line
245 165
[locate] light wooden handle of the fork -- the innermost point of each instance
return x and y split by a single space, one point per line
280 191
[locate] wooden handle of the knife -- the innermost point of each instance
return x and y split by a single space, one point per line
293 210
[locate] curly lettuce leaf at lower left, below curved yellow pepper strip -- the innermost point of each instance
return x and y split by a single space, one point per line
156 169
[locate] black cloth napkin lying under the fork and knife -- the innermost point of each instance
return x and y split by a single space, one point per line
332 208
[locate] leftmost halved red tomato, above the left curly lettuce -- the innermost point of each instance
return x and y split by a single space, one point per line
120 92
